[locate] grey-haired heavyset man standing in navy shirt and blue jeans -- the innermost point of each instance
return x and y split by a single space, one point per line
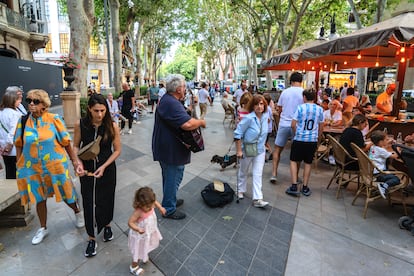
170 119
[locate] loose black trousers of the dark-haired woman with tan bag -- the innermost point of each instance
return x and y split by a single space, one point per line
103 204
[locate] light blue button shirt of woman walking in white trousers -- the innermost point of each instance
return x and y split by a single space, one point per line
250 130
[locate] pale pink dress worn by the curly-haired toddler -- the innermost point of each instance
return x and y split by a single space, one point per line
141 244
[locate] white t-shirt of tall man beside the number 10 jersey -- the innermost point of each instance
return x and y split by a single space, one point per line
289 100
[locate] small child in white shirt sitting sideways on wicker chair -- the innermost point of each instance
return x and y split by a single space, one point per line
379 155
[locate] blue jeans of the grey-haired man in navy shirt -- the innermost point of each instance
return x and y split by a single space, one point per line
172 175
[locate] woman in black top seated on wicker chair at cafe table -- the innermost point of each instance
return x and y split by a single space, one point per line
353 134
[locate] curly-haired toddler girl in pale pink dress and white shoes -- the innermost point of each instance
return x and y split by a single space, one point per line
144 235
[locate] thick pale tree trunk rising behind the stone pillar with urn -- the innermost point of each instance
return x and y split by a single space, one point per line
81 18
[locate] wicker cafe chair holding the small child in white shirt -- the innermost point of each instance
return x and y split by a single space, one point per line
369 184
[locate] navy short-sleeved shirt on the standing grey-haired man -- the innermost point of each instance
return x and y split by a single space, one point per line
165 145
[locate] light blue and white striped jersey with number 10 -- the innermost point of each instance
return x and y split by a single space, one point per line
308 116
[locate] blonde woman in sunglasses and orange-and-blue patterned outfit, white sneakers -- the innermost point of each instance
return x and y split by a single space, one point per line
42 160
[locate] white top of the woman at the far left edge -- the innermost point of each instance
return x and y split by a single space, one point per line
9 118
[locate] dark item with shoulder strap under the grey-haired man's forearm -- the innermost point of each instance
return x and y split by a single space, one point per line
191 139
